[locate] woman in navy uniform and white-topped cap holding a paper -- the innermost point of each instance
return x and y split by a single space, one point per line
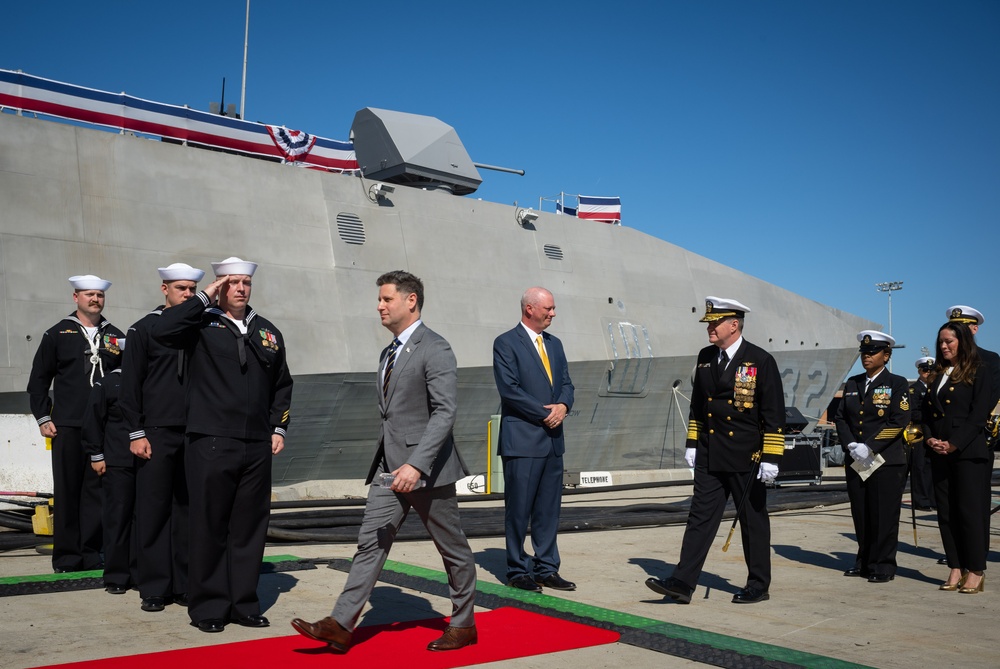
870 420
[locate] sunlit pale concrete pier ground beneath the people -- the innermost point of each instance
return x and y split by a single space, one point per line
815 618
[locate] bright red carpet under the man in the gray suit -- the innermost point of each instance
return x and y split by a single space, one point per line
503 634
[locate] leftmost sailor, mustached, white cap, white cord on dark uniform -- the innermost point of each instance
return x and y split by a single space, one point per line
72 354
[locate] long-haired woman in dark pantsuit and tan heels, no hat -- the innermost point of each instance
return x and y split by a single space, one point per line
955 411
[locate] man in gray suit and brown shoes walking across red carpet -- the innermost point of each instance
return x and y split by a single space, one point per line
417 458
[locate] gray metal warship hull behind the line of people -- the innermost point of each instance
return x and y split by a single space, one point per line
79 200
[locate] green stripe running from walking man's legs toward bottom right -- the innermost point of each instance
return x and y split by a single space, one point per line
648 625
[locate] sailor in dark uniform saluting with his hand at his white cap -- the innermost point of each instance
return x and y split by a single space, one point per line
237 411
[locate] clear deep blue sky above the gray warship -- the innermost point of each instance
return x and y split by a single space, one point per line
823 146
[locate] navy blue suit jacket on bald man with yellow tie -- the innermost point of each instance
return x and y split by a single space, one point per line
525 390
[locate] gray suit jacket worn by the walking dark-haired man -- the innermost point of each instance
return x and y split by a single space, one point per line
418 412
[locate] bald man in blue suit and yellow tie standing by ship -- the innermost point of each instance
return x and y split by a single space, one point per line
536 393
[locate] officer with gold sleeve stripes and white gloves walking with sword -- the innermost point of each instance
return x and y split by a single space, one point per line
737 419
